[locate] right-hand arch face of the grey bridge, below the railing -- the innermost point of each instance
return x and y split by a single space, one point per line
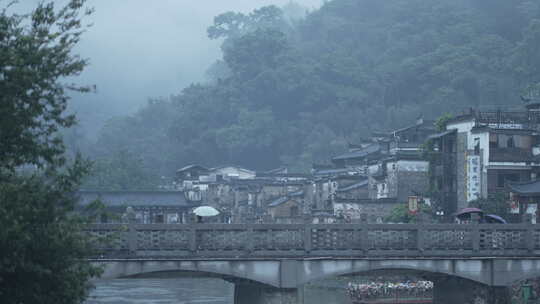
474 270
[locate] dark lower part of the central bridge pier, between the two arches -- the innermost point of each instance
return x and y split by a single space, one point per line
254 293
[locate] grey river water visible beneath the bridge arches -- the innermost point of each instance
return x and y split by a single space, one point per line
192 291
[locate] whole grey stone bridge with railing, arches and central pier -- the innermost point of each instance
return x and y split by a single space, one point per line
270 262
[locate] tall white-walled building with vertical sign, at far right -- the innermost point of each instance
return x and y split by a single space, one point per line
481 152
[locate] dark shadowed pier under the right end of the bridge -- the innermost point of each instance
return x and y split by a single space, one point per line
452 290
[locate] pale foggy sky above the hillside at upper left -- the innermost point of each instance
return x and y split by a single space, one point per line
140 51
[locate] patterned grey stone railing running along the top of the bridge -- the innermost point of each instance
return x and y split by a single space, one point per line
315 240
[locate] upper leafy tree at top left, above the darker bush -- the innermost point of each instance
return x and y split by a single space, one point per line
34 60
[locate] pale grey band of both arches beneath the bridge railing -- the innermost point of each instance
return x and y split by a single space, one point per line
293 273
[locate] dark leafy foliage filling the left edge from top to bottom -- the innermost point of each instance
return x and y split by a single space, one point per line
41 242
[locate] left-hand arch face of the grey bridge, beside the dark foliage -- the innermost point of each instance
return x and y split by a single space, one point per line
263 272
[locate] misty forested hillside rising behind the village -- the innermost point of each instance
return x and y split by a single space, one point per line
293 92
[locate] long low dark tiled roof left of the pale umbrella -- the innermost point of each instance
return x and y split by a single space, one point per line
134 198
